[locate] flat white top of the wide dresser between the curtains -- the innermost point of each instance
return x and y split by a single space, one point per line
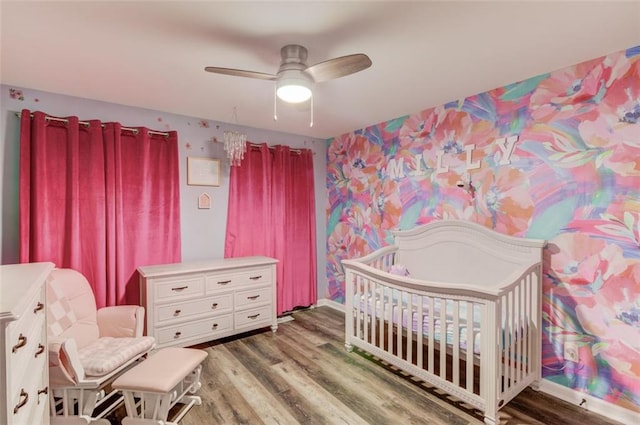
205 265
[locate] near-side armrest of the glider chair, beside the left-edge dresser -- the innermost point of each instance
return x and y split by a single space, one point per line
65 368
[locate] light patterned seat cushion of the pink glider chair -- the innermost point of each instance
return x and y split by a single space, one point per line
107 354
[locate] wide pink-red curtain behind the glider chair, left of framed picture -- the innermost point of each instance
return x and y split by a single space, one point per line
100 199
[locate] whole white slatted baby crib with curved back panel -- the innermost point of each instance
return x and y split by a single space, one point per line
466 318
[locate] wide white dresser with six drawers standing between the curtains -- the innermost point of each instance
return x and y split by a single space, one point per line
194 302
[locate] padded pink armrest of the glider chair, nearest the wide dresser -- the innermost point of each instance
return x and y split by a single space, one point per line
121 321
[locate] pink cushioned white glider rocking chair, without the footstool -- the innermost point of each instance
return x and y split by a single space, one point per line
88 349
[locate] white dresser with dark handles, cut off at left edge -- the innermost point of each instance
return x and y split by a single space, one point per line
24 376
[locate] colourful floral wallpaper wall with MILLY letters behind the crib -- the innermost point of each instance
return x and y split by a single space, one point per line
554 157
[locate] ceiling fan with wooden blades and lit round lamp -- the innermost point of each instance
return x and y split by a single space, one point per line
294 78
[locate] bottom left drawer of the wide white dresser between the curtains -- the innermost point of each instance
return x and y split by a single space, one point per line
175 335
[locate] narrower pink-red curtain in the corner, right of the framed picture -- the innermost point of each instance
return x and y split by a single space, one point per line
272 213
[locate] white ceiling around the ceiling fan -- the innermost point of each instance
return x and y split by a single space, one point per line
152 54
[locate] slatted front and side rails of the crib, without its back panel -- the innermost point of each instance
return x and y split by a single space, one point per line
480 347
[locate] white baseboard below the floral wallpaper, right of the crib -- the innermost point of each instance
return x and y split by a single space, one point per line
590 403
